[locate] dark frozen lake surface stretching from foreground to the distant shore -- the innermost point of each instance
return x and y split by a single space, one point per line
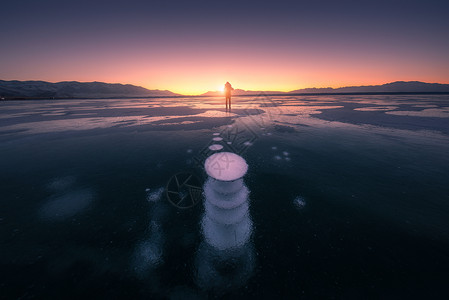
344 197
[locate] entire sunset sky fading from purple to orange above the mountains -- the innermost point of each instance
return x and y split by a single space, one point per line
191 47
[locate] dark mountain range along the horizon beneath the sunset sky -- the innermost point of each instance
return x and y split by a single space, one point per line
72 89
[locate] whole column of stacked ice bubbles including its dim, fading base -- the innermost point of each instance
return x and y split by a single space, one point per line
225 259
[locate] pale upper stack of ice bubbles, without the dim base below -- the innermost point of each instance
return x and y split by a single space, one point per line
226 223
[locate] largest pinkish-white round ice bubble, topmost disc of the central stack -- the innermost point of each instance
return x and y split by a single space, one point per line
226 166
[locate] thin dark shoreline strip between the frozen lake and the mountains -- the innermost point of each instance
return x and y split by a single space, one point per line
209 96
